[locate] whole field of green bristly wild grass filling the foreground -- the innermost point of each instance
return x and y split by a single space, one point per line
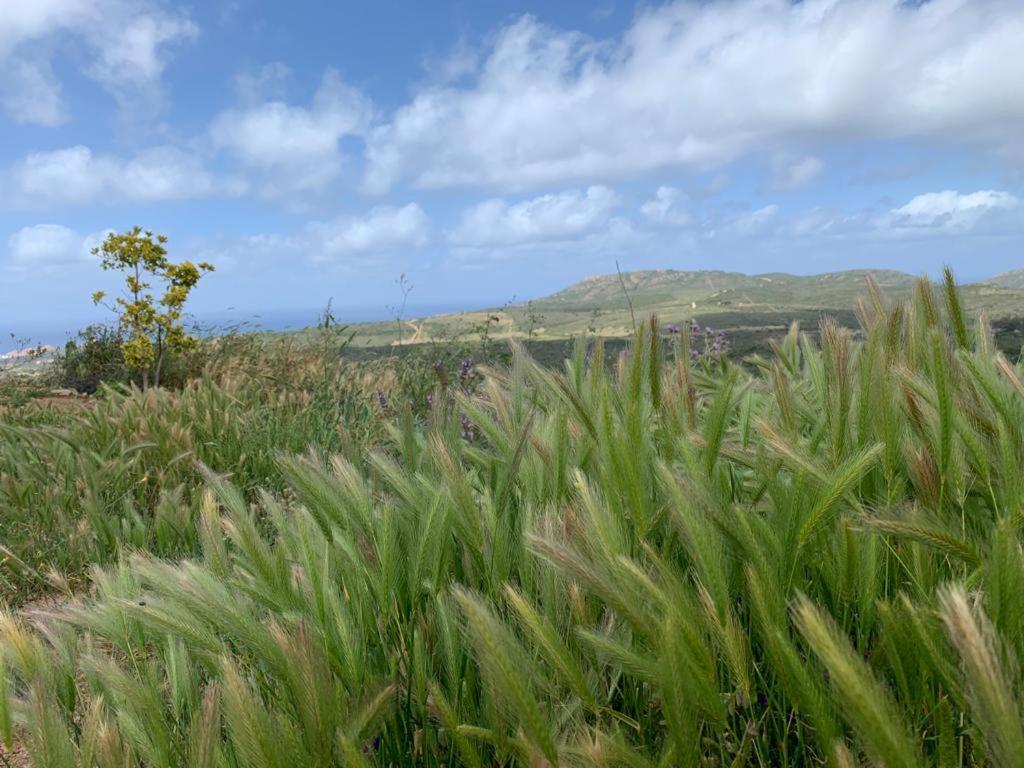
639 558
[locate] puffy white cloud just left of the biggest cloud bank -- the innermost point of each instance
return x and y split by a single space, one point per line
294 149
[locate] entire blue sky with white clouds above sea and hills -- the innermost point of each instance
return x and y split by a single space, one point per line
491 150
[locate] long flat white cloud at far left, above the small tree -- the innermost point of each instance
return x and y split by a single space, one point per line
78 177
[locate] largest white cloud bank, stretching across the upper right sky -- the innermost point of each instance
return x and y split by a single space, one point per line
700 86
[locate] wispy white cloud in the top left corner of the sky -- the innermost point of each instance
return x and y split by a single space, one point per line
127 45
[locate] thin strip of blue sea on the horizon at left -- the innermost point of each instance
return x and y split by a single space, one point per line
17 334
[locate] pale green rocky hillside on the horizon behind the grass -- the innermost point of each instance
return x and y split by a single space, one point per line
602 306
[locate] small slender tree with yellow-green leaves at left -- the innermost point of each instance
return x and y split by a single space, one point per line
152 327
